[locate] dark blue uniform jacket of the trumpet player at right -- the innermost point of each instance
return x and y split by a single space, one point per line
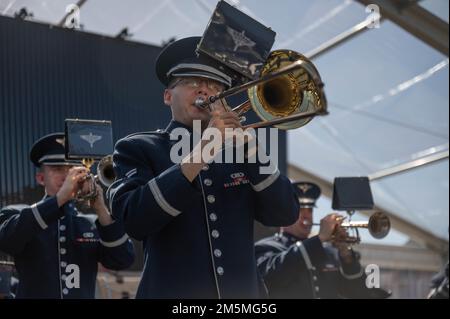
305 269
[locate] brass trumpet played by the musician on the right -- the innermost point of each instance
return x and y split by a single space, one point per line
379 226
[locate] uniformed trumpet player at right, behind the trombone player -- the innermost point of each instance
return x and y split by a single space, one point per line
297 266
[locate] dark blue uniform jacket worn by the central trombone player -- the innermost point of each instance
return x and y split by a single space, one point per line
198 236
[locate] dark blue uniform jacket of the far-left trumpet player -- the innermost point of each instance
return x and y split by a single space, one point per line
45 240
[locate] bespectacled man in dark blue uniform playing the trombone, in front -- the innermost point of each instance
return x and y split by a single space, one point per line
194 217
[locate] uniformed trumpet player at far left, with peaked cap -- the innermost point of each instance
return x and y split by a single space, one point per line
56 248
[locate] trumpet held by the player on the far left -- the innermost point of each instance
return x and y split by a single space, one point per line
104 174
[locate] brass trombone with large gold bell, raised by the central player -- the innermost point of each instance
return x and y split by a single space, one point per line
288 94
